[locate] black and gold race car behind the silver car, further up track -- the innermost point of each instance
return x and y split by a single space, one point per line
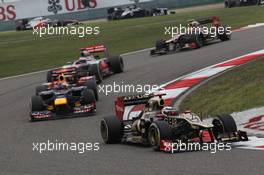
195 38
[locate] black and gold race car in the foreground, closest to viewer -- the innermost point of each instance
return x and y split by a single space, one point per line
157 125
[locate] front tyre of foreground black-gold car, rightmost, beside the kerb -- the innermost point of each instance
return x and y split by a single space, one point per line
224 124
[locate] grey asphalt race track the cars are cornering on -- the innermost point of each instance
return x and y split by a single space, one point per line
17 134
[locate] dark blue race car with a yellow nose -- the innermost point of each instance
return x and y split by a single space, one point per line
62 98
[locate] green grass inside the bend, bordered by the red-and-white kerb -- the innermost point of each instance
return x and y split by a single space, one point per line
235 90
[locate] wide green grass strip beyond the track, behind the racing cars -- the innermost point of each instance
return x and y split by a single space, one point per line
22 52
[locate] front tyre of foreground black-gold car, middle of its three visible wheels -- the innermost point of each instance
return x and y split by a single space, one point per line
158 130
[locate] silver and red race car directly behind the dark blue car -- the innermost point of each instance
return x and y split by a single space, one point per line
95 61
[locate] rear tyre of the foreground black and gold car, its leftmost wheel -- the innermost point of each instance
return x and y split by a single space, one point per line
111 130
